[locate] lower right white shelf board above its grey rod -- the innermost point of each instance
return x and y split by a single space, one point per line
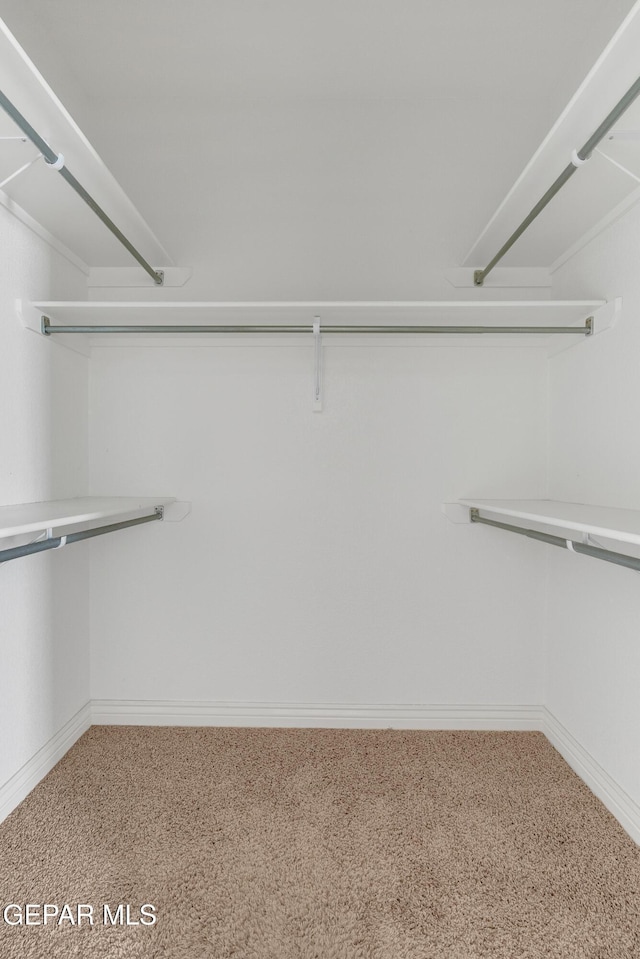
621 525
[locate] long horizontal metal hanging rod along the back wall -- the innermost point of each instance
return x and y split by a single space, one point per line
585 330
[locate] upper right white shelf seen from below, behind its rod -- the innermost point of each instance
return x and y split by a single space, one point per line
603 188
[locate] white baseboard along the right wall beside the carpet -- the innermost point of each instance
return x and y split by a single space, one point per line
617 801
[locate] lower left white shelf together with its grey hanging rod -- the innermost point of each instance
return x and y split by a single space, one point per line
58 522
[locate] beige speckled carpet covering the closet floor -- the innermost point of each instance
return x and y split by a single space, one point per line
318 844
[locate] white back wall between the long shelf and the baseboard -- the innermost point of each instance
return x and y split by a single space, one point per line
316 566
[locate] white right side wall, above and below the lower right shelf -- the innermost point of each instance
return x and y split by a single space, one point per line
593 659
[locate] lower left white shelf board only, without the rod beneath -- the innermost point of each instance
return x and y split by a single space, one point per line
91 511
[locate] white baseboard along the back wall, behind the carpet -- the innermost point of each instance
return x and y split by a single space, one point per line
333 715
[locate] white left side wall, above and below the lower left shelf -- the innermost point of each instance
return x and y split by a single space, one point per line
44 647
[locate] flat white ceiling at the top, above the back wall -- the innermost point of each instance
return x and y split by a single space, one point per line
316 49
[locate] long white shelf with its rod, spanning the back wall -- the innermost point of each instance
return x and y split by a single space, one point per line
538 322
